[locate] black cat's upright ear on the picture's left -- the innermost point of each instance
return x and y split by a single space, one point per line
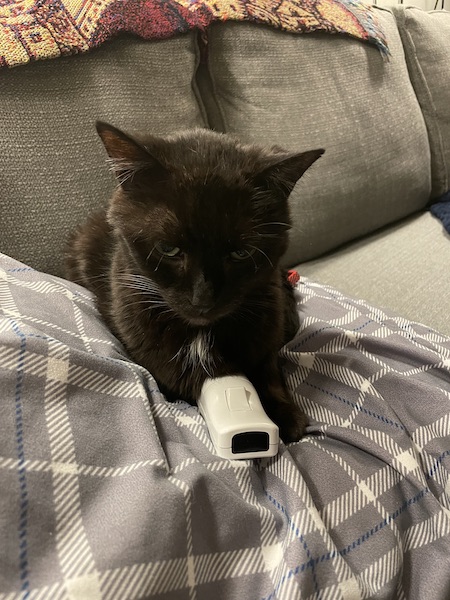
128 157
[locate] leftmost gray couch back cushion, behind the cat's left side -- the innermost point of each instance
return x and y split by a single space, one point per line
52 163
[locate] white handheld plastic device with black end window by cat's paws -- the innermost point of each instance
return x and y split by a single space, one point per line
237 423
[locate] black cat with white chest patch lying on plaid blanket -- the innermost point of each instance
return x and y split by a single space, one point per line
185 261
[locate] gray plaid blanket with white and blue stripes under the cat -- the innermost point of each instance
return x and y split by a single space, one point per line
107 491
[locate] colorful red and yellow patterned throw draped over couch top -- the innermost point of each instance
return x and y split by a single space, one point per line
37 29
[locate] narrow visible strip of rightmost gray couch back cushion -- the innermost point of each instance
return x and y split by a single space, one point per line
426 39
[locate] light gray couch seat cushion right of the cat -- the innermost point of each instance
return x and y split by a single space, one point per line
402 268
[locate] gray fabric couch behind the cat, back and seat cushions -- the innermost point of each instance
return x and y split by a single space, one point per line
361 220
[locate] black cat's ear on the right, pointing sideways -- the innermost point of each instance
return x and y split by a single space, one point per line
284 170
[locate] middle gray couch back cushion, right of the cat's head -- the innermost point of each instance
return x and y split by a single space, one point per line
332 92
